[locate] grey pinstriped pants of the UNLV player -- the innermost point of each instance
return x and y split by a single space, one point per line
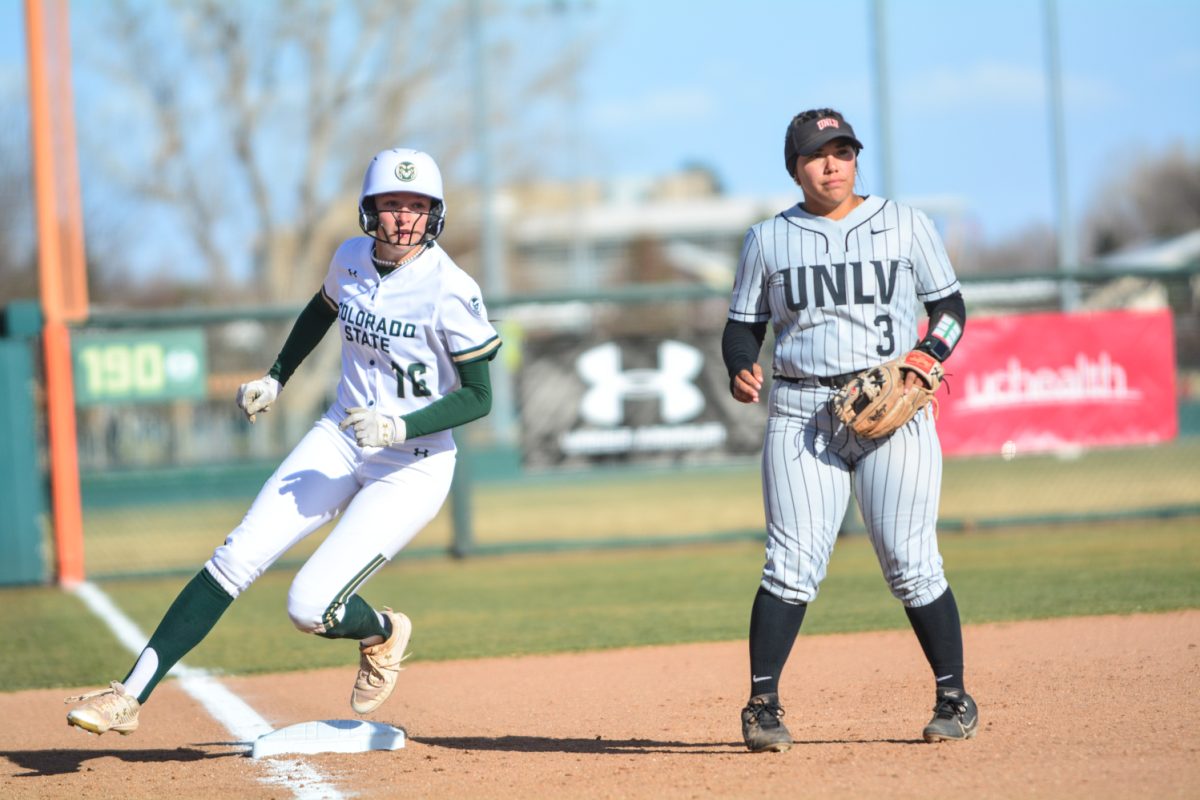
809 464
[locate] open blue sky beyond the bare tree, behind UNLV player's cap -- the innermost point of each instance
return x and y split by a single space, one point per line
716 83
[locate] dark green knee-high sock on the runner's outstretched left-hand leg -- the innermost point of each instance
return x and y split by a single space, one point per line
187 623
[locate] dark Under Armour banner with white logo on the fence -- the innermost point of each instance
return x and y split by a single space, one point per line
631 399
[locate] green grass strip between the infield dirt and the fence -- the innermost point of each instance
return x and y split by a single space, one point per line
592 600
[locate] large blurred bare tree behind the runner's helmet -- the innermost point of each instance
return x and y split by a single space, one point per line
245 127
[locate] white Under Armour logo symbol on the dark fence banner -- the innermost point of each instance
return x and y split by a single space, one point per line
679 399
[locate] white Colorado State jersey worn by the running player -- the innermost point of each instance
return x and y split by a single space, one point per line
403 334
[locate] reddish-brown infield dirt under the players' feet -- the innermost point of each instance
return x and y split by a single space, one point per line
1106 707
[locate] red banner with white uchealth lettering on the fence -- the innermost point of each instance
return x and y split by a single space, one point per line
1048 382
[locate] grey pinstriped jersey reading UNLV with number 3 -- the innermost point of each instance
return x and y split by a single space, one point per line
841 294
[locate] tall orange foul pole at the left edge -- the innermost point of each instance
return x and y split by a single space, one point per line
62 273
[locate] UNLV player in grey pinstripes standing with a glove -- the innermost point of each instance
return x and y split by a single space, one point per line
839 278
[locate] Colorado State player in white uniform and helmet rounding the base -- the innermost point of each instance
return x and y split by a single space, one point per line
416 348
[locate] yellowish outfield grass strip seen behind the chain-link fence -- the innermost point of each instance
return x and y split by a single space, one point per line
627 506
